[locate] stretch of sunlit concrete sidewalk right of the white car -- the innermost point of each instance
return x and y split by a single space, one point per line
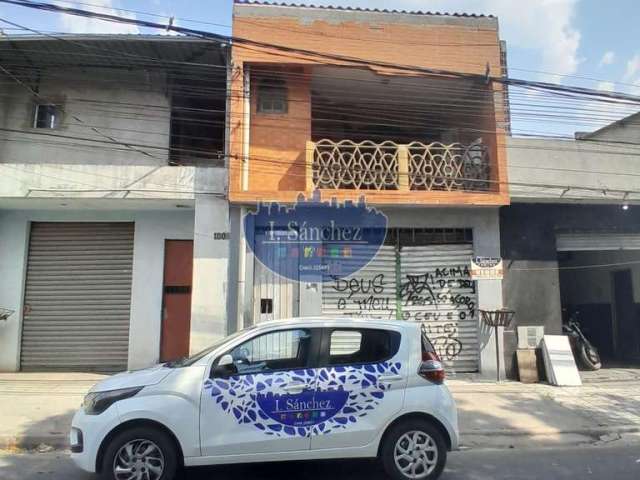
512 414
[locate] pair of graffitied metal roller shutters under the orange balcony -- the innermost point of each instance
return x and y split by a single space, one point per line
429 284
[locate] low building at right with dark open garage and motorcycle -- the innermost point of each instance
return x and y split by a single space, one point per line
571 238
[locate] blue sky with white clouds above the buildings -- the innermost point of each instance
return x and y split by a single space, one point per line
591 43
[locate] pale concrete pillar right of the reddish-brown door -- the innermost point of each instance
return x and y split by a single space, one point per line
210 271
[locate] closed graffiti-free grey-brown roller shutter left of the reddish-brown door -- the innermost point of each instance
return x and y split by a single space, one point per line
77 297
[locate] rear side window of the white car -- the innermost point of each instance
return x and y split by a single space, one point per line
354 346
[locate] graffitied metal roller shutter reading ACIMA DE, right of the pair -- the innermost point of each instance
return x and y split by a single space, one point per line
437 291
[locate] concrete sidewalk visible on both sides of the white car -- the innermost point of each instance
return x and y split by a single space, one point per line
37 410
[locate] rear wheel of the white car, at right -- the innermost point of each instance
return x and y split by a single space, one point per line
414 450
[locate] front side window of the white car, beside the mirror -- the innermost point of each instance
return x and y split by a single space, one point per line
279 350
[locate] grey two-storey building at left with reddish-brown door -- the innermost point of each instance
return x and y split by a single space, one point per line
112 190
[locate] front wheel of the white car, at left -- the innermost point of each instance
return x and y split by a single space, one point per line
140 453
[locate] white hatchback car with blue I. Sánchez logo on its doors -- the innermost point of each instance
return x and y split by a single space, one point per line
285 390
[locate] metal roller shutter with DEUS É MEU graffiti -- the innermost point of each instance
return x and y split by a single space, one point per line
371 292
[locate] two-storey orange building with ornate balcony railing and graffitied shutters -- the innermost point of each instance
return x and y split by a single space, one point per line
428 150
